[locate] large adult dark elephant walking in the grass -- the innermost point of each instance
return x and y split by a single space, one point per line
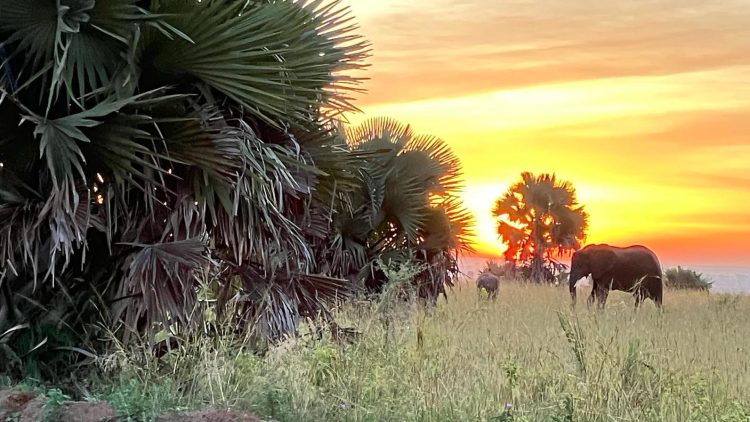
633 269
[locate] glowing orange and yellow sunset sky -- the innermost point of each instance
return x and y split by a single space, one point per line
643 105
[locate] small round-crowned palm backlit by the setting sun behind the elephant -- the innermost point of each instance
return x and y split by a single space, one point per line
537 216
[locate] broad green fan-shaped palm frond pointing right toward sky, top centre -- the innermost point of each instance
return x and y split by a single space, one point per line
276 59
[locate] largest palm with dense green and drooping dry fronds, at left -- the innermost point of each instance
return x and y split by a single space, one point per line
145 144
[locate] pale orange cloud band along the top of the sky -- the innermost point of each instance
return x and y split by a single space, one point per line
446 48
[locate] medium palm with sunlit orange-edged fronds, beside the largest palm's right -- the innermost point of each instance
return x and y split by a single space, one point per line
406 207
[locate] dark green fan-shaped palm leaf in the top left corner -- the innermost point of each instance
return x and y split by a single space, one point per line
84 41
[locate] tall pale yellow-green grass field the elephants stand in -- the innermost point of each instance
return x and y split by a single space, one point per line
467 359
